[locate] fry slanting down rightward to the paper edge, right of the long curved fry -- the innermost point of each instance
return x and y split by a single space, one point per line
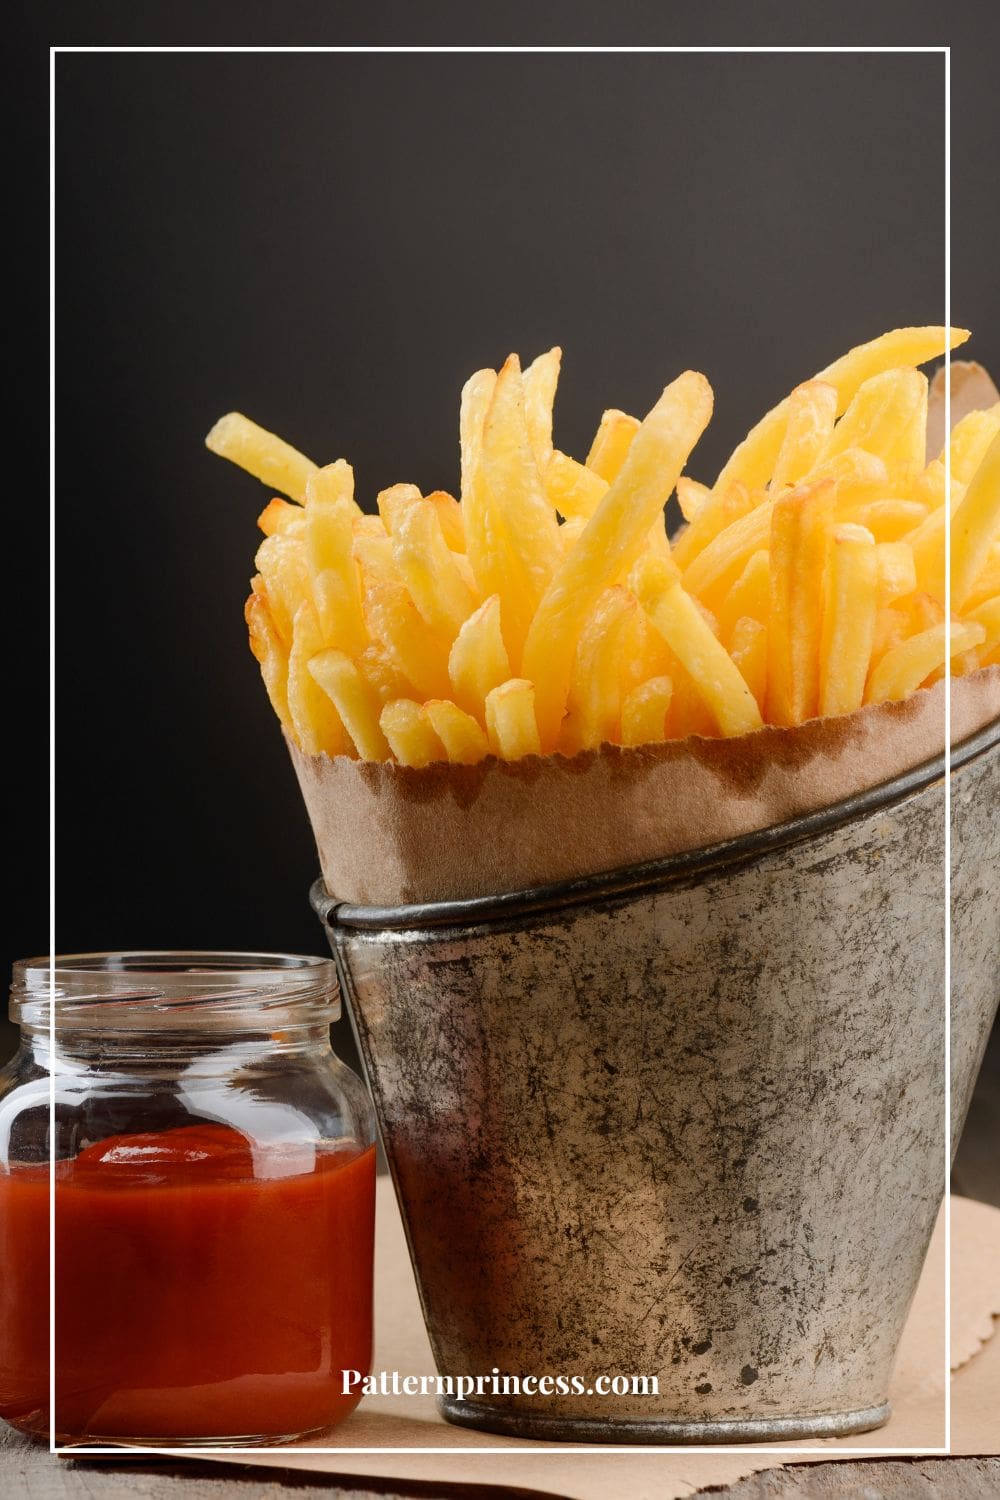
683 626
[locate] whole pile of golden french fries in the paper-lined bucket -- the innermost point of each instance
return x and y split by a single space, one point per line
548 611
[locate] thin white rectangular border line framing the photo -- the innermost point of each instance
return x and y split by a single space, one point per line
756 1450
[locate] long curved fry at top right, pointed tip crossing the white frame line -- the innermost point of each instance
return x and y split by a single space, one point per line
753 461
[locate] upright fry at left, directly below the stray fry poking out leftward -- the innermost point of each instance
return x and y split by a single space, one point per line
331 517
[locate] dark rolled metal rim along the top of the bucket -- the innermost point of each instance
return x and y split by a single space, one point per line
654 874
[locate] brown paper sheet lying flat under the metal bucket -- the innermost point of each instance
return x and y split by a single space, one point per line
389 1424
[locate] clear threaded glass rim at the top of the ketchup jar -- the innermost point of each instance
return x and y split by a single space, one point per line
133 989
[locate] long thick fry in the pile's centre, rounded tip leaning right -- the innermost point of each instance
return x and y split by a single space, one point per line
612 541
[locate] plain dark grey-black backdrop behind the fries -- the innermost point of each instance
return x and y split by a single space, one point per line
332 244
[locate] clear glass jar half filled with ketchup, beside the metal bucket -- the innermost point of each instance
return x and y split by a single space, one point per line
214 1201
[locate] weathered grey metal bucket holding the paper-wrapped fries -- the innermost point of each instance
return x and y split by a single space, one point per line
687 1120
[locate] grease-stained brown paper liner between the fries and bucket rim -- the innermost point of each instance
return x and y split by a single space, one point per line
392 835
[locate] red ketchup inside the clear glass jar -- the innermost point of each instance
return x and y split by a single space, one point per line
200 1292
